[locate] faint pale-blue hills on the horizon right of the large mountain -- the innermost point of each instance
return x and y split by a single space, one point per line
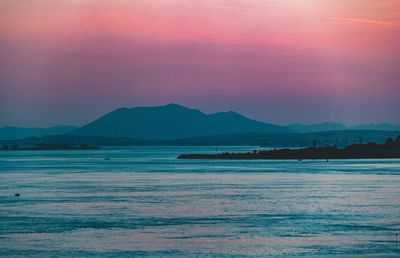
322 127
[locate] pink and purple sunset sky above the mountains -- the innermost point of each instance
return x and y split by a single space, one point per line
278 61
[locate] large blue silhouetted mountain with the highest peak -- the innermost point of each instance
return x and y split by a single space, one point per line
172 122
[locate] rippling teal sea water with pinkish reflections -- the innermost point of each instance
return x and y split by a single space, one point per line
145 202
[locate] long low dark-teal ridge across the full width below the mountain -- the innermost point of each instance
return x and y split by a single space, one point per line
337 138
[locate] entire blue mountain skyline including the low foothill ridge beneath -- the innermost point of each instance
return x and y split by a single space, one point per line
178 125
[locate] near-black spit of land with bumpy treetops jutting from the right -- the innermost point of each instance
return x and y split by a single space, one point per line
390 149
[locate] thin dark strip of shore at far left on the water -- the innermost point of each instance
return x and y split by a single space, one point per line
47 146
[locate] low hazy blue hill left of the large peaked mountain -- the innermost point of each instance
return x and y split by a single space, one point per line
11 132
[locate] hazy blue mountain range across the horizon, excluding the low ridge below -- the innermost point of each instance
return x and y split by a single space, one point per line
173 121
